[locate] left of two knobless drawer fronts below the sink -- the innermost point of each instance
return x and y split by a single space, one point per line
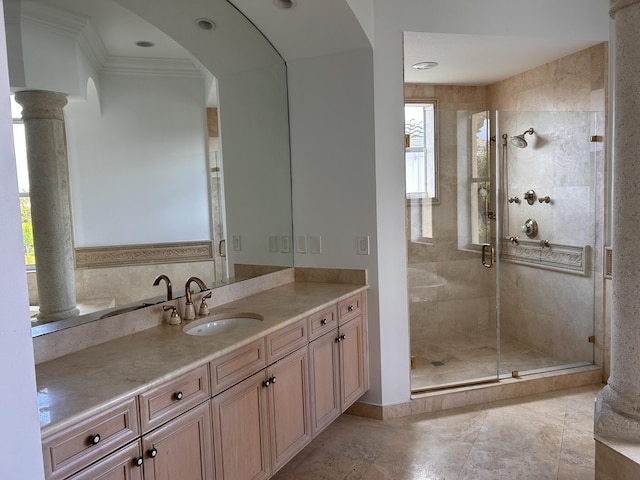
237 365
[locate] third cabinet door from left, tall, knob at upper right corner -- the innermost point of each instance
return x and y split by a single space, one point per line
240 431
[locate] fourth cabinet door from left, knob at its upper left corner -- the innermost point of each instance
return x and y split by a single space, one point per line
289 414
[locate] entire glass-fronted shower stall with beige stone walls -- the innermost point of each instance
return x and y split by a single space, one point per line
504 241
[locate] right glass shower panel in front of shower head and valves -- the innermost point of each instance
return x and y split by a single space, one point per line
546 294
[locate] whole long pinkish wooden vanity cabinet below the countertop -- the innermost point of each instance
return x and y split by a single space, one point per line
242 416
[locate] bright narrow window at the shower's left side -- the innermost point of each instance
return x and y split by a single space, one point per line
421 168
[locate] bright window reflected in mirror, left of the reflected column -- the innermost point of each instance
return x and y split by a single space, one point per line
20 147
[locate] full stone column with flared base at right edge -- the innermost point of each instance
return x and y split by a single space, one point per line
617 412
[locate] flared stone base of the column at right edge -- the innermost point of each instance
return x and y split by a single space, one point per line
616 417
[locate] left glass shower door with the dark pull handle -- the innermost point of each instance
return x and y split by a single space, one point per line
451 294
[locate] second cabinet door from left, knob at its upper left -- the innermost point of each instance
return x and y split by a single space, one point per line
181 449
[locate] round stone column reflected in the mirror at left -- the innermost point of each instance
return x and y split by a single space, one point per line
50 211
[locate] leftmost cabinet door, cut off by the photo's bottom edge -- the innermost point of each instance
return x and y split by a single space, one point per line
120 465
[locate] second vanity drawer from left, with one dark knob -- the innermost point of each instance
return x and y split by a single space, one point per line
174 397
